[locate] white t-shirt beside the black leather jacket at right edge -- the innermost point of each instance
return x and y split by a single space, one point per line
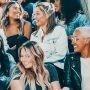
85 72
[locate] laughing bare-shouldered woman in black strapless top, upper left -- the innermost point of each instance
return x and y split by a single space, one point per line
14 25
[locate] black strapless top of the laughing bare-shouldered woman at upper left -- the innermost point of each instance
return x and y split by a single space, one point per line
17 40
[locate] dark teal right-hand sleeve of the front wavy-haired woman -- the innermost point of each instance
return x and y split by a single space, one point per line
52 72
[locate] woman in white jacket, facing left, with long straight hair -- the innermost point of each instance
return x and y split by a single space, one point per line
51 37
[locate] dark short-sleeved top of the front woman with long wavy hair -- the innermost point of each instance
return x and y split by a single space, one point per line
52 72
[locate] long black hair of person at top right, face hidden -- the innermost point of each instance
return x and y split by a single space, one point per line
69 8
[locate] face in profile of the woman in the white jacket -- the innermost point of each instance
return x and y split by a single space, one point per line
41 17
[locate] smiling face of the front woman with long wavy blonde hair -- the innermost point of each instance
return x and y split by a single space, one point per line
27 58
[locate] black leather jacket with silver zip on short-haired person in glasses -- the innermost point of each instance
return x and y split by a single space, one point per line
72 70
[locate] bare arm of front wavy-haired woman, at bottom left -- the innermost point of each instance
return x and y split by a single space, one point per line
16 85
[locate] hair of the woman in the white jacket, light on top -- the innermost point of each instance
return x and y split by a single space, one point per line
49 9
